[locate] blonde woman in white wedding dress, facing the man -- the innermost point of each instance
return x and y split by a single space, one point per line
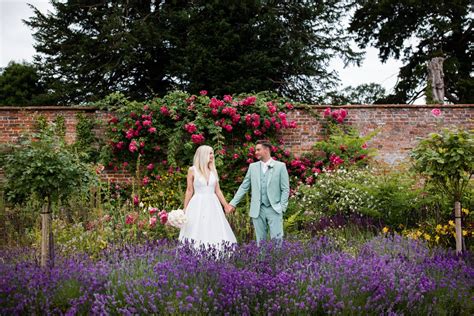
206 222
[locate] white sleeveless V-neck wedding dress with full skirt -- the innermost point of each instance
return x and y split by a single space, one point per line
206 222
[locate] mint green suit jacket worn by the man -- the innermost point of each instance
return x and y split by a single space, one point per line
278 187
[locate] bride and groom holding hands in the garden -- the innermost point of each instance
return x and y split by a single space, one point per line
204 203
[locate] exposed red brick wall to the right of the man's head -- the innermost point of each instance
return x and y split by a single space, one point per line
399 126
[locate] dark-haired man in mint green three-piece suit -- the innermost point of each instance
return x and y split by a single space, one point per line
270 186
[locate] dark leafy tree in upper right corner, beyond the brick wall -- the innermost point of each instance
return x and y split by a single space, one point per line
416 31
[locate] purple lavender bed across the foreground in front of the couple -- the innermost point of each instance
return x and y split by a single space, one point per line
388 275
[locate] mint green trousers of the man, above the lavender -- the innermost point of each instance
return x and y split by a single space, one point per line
268 220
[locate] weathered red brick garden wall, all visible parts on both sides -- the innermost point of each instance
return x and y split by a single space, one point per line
399 126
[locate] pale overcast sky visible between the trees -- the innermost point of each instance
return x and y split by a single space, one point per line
16 44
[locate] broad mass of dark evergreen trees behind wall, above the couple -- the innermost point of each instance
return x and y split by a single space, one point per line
146 47
